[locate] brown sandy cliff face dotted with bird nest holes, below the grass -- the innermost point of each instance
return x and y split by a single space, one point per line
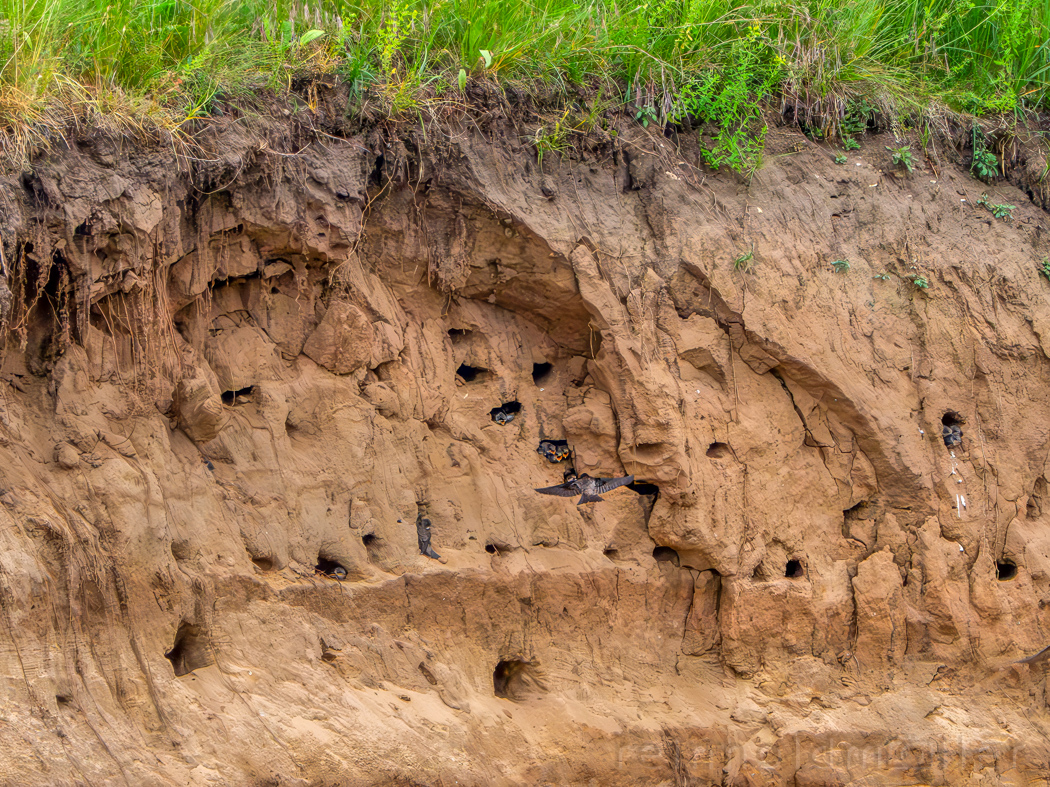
224 382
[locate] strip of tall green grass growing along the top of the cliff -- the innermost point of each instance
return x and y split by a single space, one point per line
167 62
